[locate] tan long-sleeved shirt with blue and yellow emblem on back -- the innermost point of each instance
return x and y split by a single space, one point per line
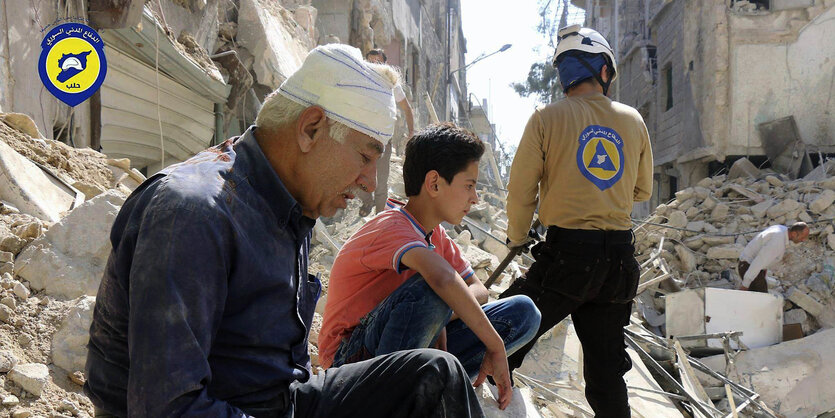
587 159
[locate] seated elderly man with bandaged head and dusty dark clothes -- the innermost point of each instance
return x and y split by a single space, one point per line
206 302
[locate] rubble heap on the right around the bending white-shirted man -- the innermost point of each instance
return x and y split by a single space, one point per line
707 226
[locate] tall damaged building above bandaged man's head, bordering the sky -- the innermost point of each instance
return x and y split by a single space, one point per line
423 38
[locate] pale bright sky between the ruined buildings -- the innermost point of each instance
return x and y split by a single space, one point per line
487 25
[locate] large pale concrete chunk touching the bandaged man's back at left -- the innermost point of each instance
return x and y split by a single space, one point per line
69 259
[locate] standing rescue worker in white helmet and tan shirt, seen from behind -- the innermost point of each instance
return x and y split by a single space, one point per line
585 160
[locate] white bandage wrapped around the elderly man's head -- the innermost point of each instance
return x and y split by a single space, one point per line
336 77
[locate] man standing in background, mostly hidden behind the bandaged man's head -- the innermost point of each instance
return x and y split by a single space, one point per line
378 202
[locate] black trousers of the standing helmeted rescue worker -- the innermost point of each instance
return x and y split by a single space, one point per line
593 276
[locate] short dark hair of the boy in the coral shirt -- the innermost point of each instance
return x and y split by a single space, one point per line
442 147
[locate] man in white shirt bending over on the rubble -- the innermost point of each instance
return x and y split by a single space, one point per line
764 250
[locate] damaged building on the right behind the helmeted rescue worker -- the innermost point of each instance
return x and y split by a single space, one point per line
718 80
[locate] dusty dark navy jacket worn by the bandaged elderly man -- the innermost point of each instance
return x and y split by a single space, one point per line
205 304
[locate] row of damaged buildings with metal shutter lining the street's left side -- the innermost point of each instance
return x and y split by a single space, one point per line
186 74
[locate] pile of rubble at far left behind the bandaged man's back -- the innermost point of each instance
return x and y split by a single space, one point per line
50 268
